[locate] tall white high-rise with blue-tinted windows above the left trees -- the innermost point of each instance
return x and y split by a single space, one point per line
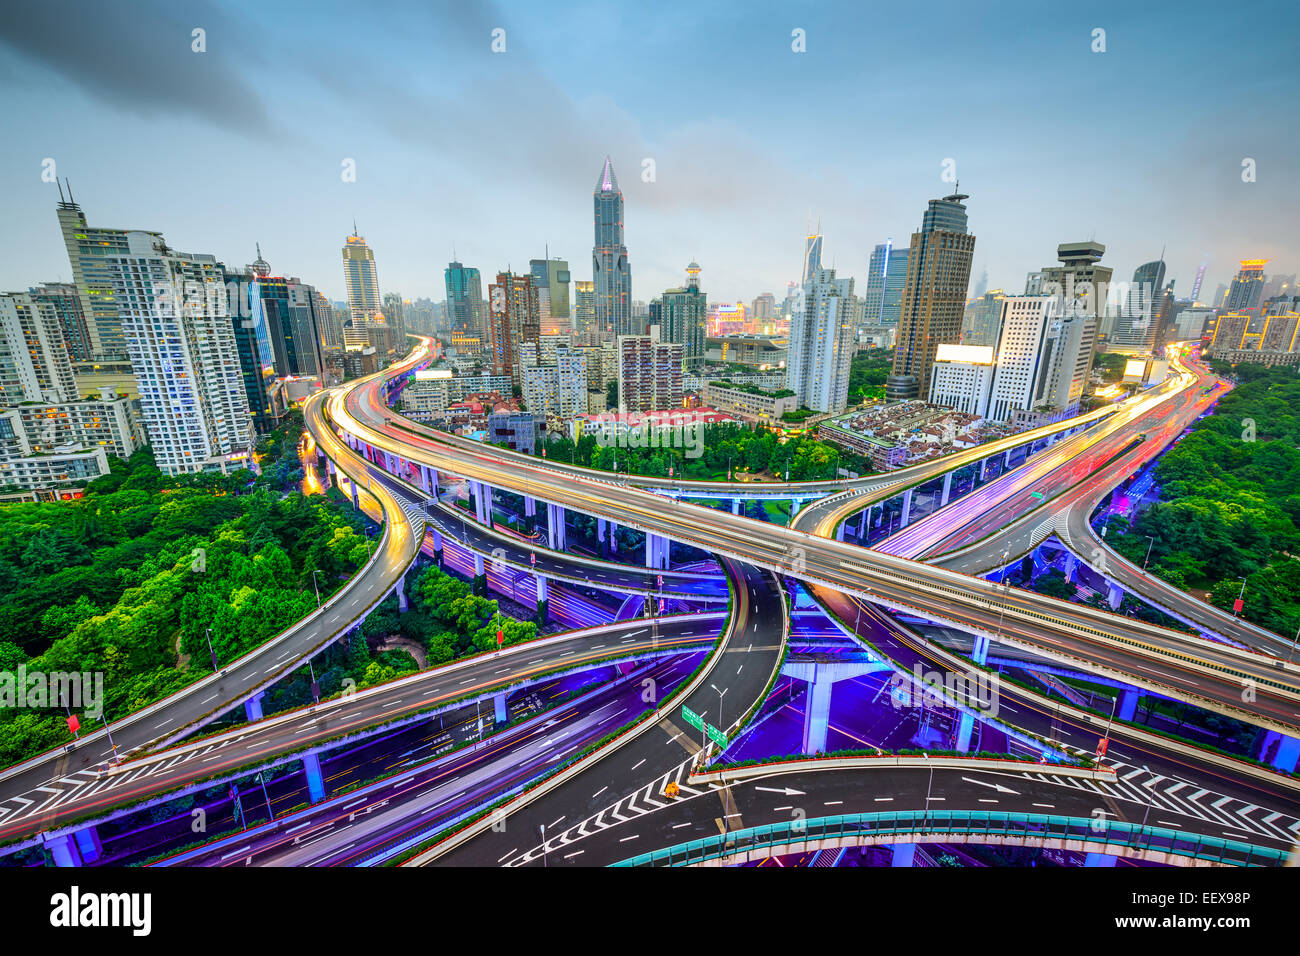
183 345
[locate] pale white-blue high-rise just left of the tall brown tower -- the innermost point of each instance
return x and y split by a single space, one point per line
821 345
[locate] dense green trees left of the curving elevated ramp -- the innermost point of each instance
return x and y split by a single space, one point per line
127 581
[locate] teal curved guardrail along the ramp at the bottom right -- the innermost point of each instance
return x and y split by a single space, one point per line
878 828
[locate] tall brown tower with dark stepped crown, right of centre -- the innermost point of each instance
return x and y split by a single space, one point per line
934 297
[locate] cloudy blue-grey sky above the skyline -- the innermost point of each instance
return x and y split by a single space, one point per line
725 140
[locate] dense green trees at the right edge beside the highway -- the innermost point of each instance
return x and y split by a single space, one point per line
1232 503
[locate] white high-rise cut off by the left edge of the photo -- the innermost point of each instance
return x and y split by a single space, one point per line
34 362
